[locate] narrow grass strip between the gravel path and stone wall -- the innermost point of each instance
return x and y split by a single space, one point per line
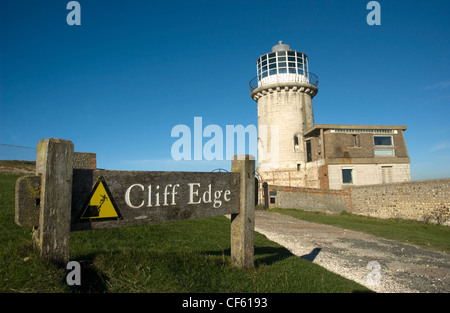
433 237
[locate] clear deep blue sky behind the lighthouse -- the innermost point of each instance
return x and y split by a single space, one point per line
117 84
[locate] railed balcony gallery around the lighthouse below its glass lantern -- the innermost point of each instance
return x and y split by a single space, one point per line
272 78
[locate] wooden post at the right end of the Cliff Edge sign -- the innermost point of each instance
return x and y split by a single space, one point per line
243 223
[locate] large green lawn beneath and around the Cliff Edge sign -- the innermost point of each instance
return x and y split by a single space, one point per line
186 256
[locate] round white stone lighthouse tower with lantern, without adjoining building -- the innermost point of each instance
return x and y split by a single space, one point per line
283 89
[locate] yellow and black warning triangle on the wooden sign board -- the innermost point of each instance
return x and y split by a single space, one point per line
100 205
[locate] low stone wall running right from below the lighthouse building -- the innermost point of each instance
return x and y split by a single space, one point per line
418 200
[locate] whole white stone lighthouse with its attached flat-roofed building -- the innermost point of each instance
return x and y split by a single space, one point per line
294 151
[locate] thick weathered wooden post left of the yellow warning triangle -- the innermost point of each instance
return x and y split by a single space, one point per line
54 163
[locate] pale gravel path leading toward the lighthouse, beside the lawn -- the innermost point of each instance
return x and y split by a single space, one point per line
379 264
